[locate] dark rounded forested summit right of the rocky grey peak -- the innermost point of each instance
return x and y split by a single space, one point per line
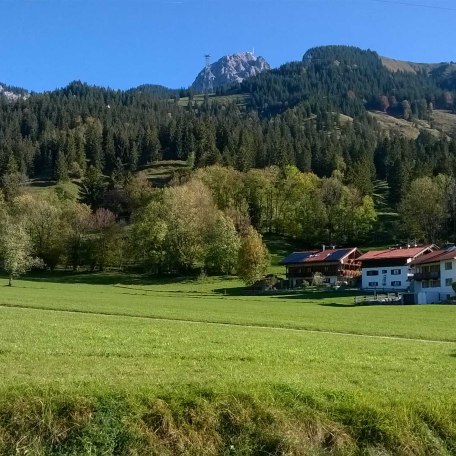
349 80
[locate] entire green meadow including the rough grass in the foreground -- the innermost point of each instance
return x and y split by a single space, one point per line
84 354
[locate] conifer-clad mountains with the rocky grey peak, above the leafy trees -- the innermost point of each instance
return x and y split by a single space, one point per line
339 109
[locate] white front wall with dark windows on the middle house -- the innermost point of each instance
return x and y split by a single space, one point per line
390 278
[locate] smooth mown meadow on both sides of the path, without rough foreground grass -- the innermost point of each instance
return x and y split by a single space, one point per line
69 350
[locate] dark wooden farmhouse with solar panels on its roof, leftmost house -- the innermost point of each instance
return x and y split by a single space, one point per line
336 265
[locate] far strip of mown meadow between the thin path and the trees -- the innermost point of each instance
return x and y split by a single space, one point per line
223 301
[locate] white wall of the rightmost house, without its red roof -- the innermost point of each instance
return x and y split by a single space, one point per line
436 290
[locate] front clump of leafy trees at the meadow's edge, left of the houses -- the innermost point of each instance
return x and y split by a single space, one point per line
177 230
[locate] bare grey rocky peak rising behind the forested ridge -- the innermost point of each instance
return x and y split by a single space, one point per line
231 69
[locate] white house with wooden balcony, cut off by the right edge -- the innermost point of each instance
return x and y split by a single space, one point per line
434 275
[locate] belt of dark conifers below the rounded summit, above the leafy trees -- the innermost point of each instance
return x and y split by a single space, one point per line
60 135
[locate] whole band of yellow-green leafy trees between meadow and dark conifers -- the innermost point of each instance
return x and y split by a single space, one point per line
210 219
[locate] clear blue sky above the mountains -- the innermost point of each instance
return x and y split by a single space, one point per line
45 44
